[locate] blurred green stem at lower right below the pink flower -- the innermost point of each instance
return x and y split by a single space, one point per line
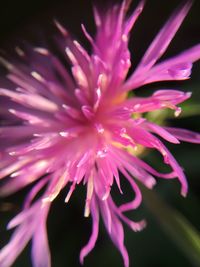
177 227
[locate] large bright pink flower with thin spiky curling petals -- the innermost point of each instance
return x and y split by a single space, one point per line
69 129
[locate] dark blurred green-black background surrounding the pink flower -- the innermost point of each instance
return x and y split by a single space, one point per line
160 244
